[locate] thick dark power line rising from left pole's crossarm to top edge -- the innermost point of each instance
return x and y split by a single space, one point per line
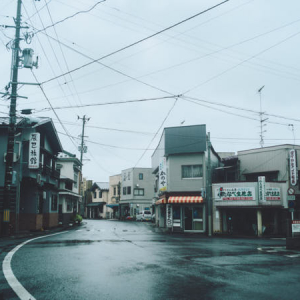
137 42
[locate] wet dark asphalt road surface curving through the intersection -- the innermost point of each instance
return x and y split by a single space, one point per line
129 260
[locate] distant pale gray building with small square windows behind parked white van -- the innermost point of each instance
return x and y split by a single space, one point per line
136 191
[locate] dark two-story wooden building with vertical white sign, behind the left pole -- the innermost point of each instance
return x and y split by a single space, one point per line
34 201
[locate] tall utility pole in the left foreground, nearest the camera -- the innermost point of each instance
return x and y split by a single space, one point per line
12 125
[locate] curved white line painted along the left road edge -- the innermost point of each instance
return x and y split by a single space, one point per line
16 286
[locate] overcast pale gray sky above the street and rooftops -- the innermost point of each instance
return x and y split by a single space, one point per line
215 61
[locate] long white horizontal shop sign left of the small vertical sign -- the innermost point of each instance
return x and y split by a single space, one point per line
235 193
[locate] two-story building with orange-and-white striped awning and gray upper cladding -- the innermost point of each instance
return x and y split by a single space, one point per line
180 164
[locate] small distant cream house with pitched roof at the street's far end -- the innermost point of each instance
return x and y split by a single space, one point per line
97 208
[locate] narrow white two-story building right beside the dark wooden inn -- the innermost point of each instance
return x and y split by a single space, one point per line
69 197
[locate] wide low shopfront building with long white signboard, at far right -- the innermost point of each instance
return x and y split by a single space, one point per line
257 189
